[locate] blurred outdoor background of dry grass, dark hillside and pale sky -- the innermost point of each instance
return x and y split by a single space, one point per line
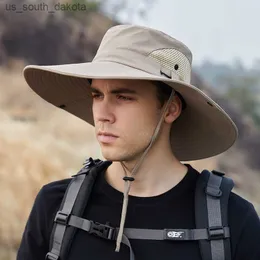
39 143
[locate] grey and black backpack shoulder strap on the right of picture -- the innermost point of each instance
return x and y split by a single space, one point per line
211 212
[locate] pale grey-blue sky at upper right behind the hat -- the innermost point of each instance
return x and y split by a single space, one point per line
221 30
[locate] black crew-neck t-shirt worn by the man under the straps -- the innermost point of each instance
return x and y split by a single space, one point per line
172 209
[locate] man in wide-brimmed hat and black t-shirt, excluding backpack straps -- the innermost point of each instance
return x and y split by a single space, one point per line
148 118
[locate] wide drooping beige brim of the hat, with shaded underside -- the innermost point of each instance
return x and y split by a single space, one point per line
203 130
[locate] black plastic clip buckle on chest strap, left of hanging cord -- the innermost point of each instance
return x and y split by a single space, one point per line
101 230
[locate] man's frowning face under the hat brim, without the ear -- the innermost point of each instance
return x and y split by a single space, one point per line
127 109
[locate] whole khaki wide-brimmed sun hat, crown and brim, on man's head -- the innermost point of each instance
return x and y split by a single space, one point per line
203 130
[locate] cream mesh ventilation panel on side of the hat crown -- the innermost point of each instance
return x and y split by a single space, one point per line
175 61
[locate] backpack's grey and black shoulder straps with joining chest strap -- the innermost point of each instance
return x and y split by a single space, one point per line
211 215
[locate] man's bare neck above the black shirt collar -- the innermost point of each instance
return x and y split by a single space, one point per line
156 175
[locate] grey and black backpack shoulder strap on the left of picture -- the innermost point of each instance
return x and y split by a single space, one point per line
74 203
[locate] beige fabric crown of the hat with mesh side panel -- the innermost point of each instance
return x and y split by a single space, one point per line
146 49
